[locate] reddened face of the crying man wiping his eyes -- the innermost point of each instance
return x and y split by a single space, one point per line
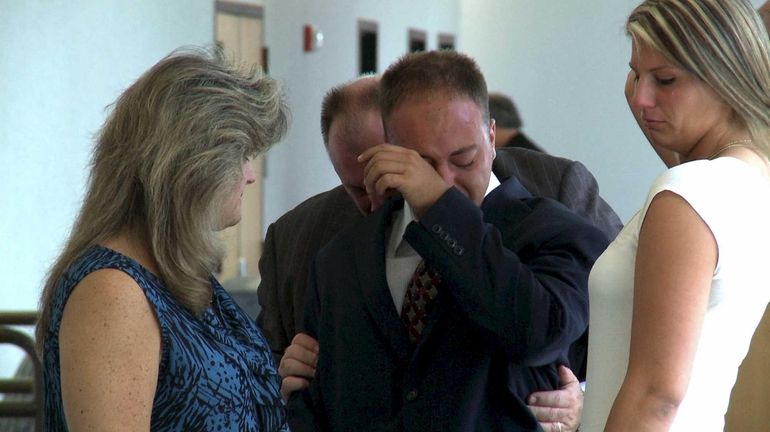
451 134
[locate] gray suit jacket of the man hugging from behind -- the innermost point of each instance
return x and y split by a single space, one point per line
296 237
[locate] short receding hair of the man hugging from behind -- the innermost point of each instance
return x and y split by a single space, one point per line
347 99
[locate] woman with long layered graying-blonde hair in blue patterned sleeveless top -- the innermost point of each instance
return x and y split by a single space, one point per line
135 332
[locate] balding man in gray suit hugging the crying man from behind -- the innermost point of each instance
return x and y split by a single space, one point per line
350 124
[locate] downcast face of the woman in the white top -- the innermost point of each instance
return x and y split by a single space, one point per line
675 109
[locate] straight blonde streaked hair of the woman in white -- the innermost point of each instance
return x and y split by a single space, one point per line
722 42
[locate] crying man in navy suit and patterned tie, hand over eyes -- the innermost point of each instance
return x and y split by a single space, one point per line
503 294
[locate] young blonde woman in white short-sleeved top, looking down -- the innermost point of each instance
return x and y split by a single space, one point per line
676 297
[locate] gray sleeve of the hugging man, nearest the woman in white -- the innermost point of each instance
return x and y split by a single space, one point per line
580 192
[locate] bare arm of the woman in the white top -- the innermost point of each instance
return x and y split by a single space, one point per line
675 262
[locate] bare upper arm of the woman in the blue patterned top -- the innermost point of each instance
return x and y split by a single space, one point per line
110 353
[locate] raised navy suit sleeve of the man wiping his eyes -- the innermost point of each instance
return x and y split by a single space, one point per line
527 293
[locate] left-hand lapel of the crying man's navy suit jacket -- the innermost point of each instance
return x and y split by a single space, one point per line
370 268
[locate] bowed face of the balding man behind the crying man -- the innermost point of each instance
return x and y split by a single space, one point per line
346 143
